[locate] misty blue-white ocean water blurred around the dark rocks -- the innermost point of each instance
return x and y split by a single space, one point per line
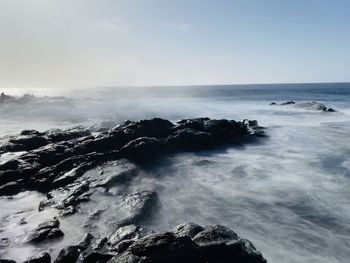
289 194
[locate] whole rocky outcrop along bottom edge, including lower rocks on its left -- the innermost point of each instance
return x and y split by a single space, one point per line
187 243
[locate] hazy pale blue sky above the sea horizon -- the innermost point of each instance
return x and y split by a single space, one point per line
87 43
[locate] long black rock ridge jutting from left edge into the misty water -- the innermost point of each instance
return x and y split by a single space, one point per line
57 158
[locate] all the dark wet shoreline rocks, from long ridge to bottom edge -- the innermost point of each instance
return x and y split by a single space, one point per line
63 165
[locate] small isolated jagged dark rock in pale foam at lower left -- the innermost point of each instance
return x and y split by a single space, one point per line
44 231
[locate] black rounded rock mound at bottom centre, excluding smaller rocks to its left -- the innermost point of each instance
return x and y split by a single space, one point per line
212 244
